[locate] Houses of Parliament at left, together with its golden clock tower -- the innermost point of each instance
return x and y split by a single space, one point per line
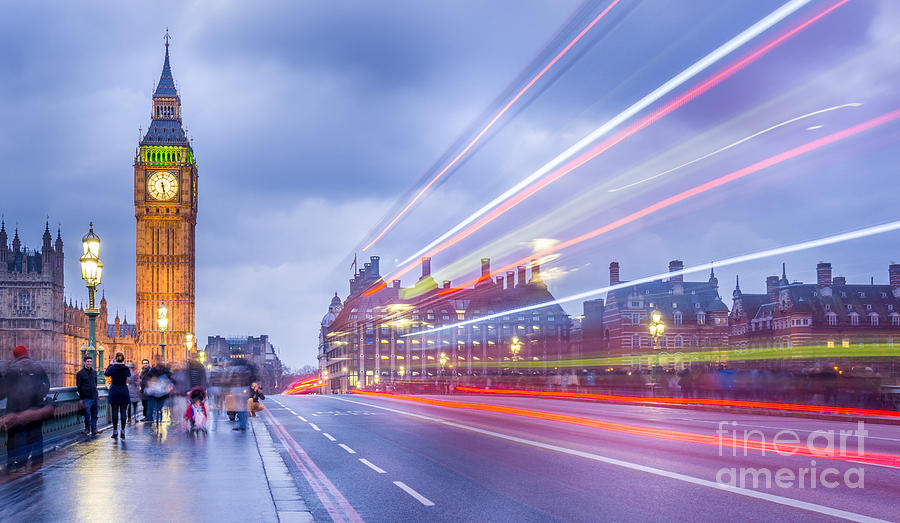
33 308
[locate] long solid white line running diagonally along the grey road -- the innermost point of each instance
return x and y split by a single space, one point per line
796 503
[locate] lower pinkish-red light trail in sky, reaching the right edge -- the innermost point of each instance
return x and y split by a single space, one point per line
702 188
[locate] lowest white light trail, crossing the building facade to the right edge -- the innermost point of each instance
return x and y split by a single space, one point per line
778 251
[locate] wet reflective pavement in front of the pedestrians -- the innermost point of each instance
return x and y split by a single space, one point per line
153 475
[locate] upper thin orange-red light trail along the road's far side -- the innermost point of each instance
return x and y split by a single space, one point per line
821 409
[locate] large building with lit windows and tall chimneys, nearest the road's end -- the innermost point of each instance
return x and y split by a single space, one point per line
365 343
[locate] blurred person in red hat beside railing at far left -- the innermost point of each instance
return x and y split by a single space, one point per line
26 385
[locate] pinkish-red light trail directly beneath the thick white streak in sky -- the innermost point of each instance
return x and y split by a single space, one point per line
610 142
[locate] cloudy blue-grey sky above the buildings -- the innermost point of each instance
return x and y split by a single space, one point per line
312 120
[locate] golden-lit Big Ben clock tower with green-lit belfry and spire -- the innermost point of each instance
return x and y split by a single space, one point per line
165 207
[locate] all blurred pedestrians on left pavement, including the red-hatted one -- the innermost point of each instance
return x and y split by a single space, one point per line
154 394
